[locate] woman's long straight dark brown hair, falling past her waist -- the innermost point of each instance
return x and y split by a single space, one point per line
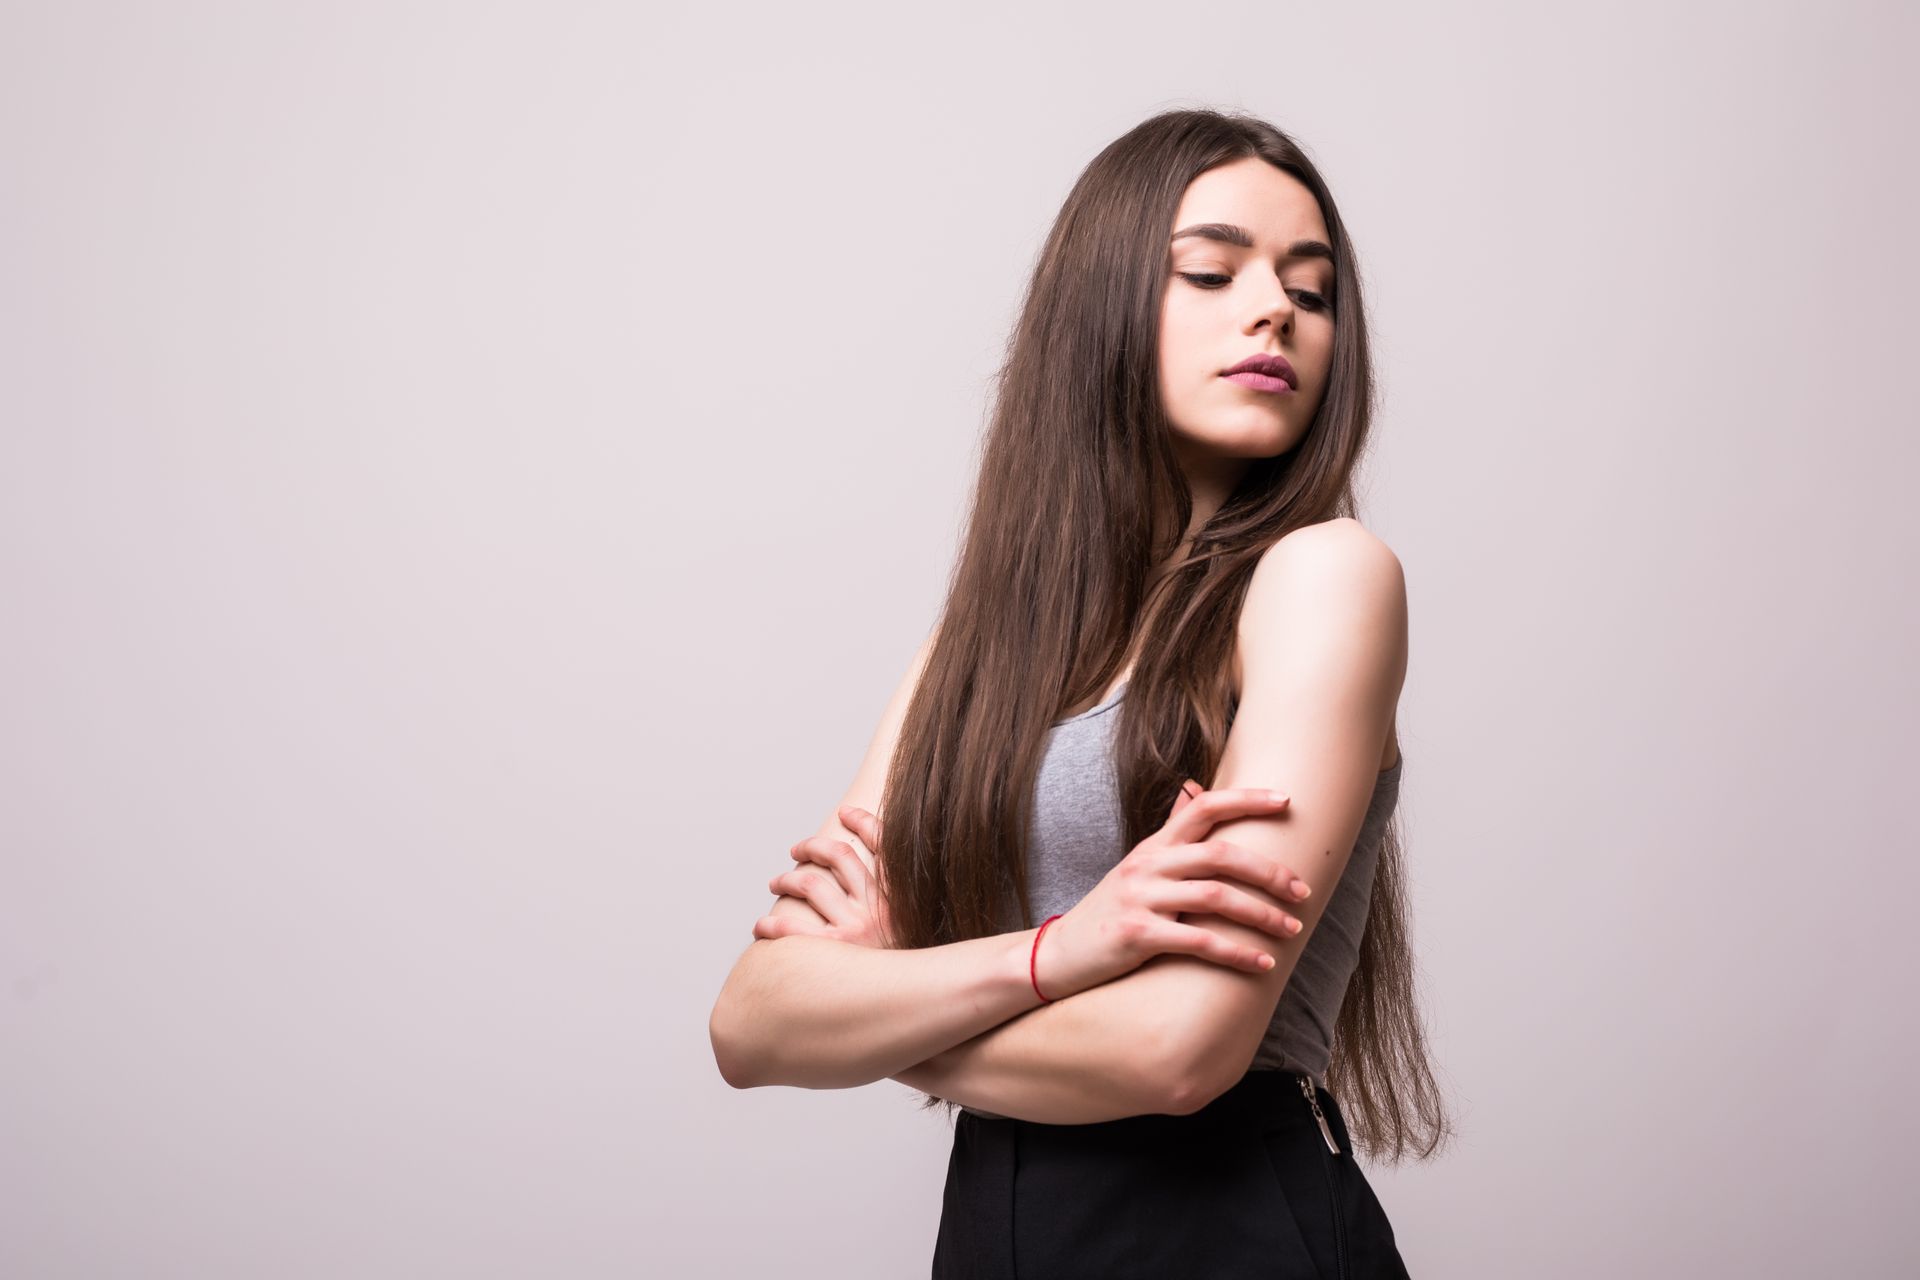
1080 498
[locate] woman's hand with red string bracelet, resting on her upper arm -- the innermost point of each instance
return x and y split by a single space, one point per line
1134 913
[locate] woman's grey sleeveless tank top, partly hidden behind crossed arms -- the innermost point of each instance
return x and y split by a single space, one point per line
1076 840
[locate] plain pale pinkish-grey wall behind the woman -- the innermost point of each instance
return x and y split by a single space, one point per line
473 473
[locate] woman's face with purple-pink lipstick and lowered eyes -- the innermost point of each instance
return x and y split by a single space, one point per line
1230 300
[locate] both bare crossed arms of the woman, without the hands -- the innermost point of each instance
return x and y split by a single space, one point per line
1324 646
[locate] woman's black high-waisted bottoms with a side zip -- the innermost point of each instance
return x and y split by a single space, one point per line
1245 1187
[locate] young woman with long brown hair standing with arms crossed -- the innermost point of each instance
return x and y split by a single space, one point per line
1141 997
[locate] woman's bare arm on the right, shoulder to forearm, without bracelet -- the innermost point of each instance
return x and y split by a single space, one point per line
1324 642
